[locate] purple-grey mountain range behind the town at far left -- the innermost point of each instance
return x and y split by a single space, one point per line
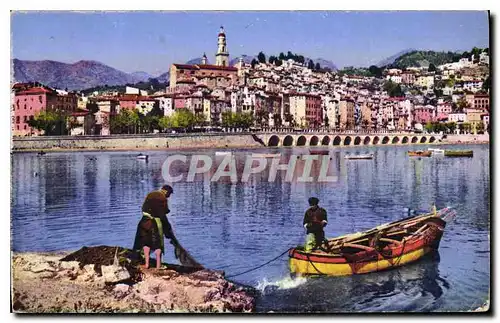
80 75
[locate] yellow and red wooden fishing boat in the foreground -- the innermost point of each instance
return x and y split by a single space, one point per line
386 246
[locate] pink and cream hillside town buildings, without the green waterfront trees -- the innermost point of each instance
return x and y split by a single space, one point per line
290 95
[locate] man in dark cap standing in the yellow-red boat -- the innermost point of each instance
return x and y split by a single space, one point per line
315 220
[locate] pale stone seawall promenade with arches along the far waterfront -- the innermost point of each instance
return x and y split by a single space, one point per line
201 141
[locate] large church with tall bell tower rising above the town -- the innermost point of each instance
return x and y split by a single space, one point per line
211 76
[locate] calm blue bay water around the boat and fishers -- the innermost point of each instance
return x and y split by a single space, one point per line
94 198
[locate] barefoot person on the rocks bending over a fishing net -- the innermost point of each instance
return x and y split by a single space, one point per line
154 225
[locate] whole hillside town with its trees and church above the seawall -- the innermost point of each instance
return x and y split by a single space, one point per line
279 93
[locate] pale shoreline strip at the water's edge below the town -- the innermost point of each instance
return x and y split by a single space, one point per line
192 142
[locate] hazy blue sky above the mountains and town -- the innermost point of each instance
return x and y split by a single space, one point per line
151 41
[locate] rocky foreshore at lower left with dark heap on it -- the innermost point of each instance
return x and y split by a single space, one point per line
109 280
